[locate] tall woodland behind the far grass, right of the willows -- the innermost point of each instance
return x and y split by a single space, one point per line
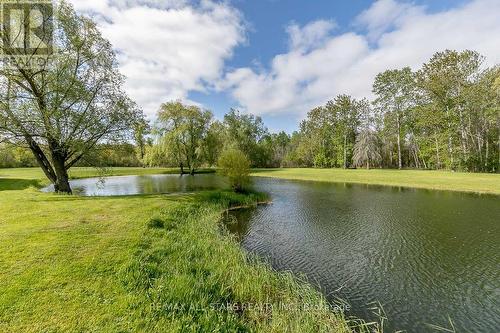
444 116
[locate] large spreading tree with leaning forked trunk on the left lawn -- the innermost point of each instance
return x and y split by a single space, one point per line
68 104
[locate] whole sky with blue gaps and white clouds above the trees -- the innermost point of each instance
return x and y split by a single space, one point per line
279 58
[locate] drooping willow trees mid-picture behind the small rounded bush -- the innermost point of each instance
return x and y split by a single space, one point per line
186 136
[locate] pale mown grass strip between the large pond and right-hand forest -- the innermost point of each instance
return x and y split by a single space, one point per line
436 180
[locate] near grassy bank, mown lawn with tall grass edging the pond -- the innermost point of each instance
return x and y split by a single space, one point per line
138 263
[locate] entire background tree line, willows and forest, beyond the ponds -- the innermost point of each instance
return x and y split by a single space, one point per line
446 115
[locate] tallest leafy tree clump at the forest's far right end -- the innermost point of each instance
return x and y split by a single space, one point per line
456 97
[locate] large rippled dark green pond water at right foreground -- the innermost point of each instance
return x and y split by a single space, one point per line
424 255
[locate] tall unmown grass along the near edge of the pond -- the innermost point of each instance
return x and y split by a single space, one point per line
188 273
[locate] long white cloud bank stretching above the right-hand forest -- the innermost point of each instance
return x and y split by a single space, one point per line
320 65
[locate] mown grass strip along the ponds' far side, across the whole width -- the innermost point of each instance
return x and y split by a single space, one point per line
472 183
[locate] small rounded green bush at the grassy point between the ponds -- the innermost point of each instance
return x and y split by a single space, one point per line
234 164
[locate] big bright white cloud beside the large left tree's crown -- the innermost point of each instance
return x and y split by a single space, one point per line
167 48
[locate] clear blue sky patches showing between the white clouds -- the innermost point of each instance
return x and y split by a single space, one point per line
267 21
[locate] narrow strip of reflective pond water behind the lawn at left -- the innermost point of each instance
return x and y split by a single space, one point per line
147 184
